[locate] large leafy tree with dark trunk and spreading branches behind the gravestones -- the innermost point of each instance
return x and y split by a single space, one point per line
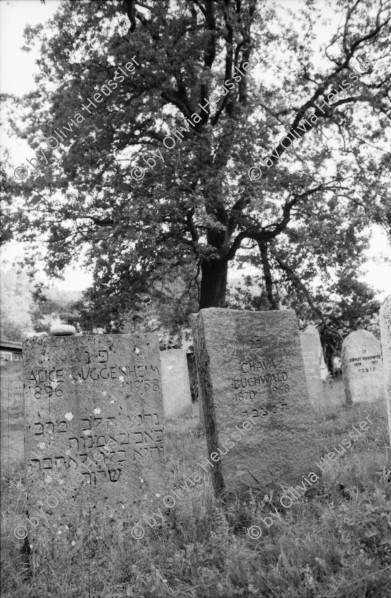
185 166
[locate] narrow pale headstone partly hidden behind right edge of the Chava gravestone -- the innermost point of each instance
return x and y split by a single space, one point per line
312 350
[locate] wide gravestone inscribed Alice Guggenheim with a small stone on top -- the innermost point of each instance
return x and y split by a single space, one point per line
94 428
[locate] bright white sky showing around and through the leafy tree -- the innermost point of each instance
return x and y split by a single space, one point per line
17 69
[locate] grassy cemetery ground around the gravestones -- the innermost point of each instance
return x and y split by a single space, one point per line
335 541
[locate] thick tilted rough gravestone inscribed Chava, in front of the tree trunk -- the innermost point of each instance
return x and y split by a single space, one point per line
260 425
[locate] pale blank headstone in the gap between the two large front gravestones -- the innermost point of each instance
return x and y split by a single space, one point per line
176 383
